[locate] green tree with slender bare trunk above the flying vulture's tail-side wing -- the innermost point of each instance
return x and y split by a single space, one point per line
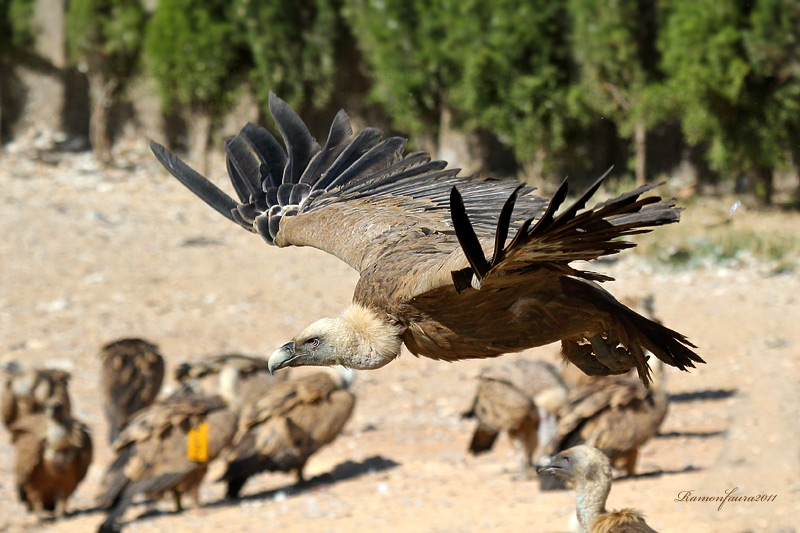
614 46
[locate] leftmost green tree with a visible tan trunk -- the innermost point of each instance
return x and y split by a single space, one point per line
105 39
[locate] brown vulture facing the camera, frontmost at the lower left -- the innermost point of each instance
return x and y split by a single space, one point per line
53 454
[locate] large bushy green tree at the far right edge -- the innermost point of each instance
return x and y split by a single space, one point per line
733 70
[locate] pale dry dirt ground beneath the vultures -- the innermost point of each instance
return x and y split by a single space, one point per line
87 256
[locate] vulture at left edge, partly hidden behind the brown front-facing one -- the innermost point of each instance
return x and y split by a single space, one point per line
27 390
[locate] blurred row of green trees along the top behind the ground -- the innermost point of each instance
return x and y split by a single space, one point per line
701 90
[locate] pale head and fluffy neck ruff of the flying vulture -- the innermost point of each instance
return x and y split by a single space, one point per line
358 339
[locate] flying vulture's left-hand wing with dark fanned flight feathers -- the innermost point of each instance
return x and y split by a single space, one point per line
354 197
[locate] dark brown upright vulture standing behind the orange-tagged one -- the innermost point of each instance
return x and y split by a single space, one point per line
132 373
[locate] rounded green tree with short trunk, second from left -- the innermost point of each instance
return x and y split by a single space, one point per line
194 52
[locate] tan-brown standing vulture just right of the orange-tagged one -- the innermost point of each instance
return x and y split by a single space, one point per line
292 420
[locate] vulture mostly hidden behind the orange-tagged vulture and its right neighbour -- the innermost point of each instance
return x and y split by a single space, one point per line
237 378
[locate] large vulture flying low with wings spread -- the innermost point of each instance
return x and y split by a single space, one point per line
438 271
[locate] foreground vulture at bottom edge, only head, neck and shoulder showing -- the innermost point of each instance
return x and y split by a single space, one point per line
589 471
